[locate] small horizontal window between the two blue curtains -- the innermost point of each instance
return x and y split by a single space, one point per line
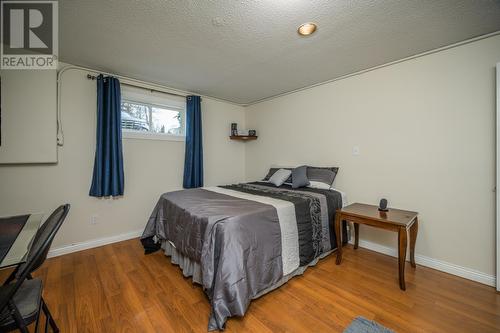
152 120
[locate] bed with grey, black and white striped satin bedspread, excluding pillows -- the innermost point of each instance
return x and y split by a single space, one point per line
241 241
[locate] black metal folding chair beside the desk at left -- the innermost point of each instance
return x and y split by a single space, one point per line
21 298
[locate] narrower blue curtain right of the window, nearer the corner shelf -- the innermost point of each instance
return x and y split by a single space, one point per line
193 162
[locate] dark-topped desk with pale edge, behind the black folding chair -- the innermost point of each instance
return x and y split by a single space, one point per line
16 237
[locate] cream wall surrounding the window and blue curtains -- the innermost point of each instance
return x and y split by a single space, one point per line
151 168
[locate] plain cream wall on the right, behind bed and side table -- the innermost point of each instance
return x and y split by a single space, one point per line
425 128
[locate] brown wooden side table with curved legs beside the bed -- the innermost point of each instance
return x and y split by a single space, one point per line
400 221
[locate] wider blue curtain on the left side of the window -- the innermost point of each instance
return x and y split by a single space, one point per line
108 179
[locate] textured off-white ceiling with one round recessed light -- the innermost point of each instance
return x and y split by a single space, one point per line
247 50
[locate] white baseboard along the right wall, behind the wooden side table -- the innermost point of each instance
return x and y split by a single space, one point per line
443 266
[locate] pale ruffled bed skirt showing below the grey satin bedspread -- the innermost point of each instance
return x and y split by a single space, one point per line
192 268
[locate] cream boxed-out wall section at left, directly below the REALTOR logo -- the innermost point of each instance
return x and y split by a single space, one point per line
28 116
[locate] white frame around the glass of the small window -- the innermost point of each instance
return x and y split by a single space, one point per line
146 135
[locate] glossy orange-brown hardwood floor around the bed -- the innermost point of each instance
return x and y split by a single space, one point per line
116 288
